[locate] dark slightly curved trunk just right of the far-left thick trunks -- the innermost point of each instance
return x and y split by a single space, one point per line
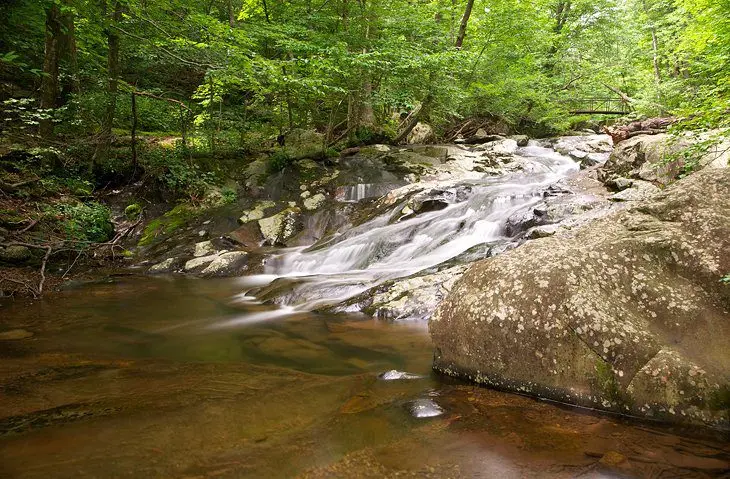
104 145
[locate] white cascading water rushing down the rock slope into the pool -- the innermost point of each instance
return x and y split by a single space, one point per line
381 249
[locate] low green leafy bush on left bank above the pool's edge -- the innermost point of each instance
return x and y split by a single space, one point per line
89 222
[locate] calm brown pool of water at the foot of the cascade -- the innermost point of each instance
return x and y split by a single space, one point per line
148 377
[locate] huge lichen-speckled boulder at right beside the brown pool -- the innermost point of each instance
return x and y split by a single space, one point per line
627 314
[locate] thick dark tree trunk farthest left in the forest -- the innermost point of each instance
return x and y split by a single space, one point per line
49 83
